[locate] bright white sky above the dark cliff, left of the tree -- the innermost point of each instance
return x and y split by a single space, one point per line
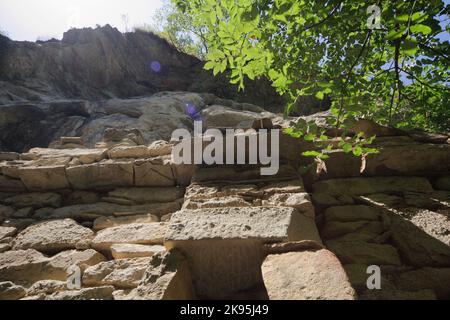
44 19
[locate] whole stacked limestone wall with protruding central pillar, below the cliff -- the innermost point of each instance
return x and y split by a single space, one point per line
137 226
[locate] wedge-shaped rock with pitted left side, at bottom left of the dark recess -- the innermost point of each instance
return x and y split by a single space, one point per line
166 278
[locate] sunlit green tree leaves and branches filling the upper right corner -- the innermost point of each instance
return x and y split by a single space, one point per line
396 73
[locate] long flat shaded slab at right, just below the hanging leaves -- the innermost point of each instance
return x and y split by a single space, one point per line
363 186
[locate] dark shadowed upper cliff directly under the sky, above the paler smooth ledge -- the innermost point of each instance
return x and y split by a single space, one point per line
102 63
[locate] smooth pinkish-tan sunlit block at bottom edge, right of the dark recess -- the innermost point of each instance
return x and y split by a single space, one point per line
307 275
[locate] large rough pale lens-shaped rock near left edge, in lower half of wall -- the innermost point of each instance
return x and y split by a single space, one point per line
51 236
